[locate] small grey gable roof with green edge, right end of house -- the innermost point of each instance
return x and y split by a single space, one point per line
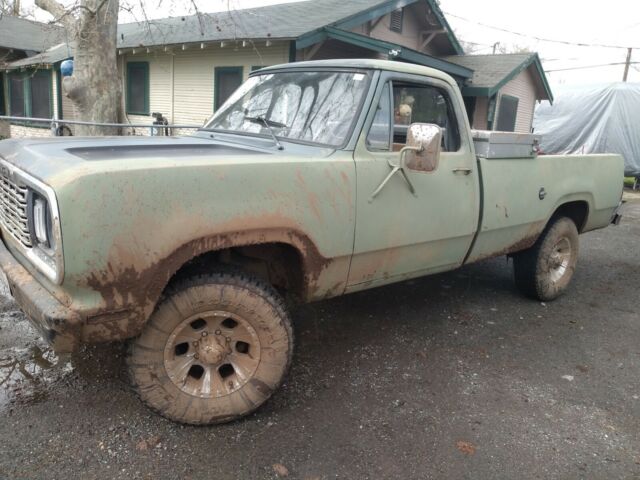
492 72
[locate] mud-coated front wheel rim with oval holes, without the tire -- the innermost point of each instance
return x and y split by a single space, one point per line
212 354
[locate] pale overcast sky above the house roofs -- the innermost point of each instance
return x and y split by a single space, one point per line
481 24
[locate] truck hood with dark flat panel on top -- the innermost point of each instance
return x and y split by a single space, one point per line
50 158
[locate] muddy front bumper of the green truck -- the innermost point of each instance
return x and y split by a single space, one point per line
59 325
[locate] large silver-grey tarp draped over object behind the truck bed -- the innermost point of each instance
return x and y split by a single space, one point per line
593 119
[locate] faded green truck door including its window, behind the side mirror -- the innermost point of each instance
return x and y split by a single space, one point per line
400 234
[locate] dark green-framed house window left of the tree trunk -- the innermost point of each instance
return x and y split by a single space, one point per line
30 94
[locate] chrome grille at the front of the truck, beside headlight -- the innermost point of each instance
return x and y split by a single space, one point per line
13 209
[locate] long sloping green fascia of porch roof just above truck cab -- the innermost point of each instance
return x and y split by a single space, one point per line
385 47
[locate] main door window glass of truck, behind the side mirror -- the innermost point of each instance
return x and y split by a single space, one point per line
423 104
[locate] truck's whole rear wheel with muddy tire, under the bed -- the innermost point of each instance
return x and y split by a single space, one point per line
544 271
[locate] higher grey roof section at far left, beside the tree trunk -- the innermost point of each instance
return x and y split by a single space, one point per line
21 34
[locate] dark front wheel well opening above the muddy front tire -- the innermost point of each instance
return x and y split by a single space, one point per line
278 264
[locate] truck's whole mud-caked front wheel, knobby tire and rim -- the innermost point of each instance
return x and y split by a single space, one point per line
215 349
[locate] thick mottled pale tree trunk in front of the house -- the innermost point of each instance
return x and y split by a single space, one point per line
94 88
